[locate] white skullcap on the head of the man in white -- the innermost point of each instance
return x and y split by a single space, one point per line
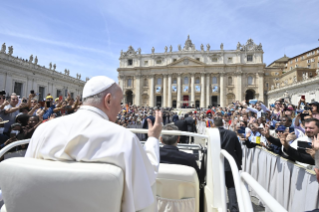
96 85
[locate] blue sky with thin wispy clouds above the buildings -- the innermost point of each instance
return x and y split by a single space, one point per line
87 36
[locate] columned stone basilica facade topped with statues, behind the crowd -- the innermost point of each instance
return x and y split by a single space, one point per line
192 77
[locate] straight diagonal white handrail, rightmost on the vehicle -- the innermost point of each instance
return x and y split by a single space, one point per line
262 193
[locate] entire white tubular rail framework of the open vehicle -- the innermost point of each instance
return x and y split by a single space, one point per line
215 194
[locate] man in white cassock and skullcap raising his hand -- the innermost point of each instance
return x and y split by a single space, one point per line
91 135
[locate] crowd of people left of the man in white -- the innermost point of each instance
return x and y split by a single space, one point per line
20 117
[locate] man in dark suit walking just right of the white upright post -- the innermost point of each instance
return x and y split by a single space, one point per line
230 143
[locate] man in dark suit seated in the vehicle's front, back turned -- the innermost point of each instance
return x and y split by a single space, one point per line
169 153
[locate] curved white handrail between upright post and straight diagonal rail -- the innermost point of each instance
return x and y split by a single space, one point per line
234 169
